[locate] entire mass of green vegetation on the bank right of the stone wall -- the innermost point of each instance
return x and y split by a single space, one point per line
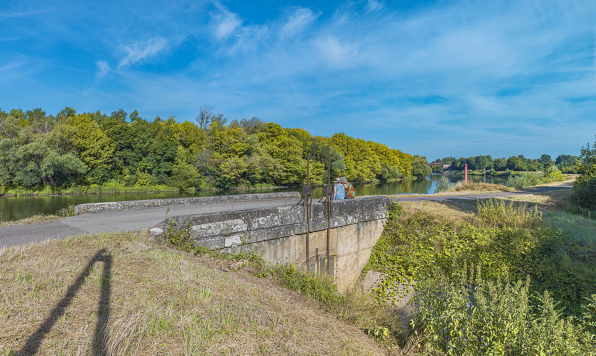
483 313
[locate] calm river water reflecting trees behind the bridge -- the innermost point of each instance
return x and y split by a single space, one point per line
20 208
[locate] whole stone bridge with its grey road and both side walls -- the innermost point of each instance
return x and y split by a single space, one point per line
271 223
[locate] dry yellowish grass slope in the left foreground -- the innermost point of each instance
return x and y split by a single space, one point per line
140 298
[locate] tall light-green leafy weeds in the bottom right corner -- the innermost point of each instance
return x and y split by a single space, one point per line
468 315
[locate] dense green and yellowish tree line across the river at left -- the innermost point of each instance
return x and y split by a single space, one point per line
70 149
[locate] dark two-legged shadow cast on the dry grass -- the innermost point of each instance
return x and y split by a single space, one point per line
100 335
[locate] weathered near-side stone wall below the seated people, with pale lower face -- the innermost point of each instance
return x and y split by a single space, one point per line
279 234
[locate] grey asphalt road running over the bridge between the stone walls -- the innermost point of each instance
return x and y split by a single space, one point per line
119 221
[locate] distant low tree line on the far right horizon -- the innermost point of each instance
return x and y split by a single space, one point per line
565 163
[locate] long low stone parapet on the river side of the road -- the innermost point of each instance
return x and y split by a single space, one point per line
158 203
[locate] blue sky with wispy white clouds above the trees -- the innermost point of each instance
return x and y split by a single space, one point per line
435 78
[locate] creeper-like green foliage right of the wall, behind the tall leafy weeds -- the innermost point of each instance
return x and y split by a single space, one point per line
505 238
